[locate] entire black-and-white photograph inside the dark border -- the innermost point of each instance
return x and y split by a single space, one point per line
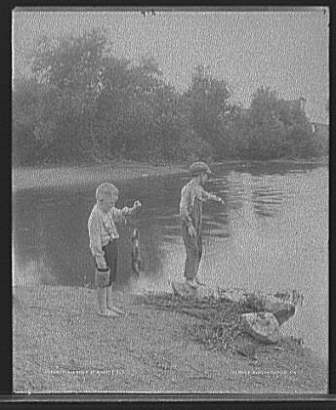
170 200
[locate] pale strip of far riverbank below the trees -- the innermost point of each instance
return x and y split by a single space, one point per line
33 177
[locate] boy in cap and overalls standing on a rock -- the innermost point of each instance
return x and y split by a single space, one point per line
192 197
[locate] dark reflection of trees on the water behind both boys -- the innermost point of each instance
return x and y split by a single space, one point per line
50 226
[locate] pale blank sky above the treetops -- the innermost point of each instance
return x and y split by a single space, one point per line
285 50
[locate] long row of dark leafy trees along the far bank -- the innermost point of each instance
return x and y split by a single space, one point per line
81 104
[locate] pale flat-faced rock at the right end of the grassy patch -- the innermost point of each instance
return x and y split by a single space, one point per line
263 326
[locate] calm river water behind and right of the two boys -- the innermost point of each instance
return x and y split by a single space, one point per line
272 235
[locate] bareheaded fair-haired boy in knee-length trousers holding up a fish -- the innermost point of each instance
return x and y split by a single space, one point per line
104 243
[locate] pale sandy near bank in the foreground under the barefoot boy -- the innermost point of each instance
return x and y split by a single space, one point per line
60 344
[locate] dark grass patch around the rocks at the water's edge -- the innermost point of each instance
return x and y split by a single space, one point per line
219 326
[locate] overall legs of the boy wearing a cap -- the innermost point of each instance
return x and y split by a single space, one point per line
193 246
